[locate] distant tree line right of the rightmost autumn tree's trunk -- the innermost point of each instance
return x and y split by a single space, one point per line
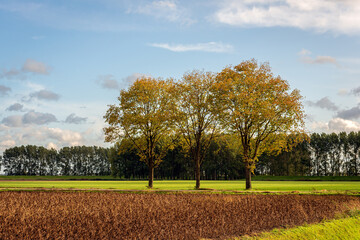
325 155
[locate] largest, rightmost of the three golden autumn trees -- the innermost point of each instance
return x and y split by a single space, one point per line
258 107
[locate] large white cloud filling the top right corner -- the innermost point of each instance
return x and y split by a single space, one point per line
319 15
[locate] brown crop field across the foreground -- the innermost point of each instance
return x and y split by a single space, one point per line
108 215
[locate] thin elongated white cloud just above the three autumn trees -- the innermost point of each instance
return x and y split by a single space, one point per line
203 47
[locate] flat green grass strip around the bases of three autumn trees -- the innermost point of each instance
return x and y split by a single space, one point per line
238 185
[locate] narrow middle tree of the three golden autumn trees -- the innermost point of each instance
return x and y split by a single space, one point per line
196 115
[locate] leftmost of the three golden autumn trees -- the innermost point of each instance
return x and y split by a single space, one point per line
144 116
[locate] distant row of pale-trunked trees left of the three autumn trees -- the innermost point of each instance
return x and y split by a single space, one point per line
74 161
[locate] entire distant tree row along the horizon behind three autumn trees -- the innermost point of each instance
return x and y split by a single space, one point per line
324 155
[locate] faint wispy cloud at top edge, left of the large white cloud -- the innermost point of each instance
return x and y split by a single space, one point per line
165 9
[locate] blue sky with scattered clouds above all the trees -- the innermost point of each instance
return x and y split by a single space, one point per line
63 62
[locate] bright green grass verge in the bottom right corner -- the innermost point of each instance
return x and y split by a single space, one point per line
342 229
